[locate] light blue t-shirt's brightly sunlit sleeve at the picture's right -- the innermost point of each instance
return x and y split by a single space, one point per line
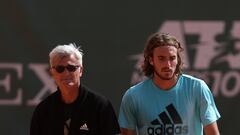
208 109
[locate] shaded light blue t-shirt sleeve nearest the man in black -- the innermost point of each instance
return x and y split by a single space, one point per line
127 116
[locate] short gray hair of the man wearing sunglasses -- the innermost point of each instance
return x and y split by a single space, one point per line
66 50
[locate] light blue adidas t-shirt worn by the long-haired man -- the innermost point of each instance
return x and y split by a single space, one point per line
182 110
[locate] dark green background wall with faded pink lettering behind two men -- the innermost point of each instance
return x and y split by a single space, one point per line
112 35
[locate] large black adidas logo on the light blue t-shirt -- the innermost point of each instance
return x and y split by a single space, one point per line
170 123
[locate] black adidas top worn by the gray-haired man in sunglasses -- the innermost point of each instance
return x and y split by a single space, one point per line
90 114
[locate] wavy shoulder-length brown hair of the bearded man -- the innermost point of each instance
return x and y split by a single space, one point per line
156 40
